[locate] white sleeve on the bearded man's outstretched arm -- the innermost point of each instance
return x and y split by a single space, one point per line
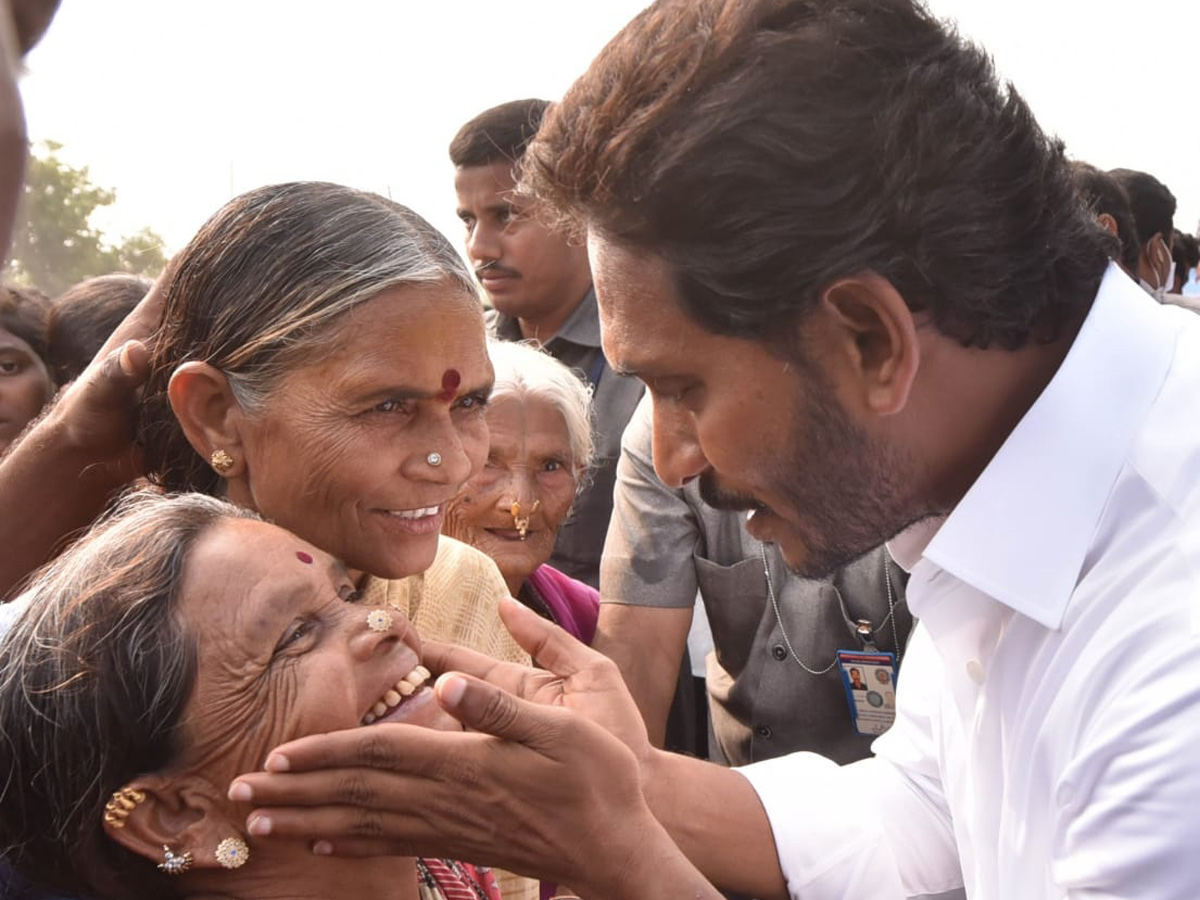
875 830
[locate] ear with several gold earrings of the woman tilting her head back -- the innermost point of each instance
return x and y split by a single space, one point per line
183 814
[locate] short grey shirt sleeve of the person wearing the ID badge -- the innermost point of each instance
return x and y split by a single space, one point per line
652 535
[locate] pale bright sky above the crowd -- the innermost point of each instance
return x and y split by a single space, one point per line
179 106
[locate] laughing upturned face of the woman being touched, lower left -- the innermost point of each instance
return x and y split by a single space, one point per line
285 651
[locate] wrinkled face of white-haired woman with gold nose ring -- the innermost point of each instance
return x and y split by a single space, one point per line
530 463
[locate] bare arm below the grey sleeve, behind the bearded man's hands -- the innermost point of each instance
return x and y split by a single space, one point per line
647 645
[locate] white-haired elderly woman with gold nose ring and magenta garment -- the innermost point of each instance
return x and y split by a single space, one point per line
539 454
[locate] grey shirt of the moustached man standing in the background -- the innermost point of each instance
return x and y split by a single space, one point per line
578 345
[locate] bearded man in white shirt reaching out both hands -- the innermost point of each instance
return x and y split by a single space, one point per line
869 305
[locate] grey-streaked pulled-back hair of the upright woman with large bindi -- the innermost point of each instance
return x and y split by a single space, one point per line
256 291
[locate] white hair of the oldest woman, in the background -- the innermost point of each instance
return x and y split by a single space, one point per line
524 370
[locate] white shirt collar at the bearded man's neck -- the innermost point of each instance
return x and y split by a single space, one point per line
1022 532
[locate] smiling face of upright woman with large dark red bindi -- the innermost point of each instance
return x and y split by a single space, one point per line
343 453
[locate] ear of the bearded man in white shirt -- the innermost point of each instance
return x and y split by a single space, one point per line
874 337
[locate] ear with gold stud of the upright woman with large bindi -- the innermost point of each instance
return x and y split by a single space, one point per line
208 413
